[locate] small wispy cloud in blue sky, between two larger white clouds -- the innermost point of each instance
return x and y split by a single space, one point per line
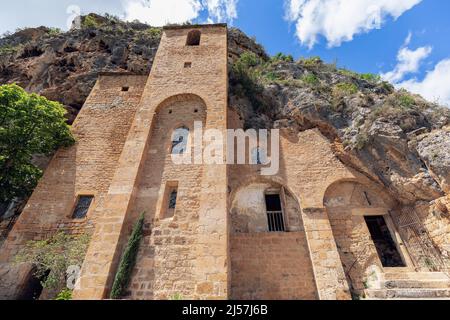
409 61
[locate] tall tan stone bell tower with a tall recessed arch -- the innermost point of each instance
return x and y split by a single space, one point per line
190 69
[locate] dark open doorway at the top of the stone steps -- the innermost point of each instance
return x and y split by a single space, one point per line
386 248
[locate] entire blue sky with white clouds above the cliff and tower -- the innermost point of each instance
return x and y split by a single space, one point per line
405 41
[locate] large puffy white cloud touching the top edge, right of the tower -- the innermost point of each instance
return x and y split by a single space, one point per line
340 20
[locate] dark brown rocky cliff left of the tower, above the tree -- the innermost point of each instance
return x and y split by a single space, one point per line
65 66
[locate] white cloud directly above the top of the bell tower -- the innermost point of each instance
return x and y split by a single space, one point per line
161 12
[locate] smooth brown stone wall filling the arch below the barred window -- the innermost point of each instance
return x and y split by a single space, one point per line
271 266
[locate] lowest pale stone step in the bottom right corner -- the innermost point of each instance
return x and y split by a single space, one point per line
407 293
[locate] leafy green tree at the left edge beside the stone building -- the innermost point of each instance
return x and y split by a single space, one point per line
29 125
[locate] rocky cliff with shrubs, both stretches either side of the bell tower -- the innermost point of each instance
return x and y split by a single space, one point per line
396 139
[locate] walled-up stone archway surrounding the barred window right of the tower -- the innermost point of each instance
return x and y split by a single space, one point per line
268 265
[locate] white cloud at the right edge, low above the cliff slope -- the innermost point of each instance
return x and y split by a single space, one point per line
435 86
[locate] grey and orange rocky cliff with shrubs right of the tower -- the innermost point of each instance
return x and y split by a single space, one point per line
395 138
